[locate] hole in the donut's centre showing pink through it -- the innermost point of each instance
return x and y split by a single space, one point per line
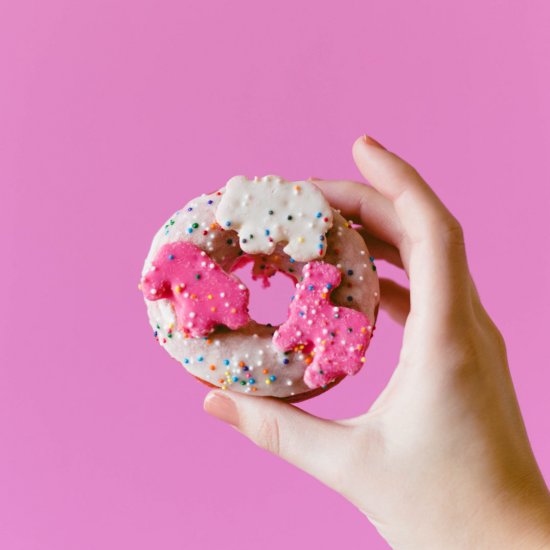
268 304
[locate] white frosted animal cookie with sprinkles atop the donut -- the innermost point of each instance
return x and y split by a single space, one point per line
270 210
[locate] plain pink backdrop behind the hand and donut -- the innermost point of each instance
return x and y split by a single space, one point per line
113 113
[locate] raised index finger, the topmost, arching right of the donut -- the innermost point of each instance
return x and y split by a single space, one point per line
433 246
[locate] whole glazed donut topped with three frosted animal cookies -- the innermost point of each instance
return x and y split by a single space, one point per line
198 307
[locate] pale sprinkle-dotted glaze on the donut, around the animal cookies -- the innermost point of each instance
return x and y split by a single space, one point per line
246 360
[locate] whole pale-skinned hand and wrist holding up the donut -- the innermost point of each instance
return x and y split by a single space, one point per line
441 460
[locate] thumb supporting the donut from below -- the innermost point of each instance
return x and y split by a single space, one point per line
313 444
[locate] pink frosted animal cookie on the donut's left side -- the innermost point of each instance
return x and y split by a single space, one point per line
202 293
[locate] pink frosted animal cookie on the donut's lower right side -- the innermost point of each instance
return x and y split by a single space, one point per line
336 337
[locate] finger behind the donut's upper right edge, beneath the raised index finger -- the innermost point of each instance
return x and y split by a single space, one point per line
365 206
